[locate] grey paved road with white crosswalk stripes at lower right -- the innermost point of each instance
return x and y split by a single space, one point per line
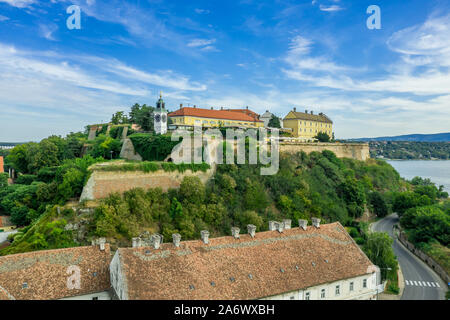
421 282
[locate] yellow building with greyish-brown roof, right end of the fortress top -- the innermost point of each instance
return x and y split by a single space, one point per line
308 125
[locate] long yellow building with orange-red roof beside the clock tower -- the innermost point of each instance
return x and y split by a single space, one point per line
189 117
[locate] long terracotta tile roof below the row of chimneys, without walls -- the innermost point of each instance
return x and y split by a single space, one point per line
308 258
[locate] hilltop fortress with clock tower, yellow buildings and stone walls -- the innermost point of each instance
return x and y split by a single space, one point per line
302 128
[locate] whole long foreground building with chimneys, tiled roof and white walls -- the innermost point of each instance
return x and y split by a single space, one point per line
302 263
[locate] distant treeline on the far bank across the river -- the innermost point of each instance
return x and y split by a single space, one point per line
410 150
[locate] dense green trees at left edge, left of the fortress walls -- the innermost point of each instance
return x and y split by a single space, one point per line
49 172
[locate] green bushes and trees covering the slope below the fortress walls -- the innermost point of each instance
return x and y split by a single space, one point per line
314 185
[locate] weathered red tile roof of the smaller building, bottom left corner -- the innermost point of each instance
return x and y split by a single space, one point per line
42 275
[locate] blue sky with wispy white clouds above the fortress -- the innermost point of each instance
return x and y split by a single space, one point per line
279 54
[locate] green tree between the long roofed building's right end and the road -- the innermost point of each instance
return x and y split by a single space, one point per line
378 248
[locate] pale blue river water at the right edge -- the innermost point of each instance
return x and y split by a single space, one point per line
438 171
